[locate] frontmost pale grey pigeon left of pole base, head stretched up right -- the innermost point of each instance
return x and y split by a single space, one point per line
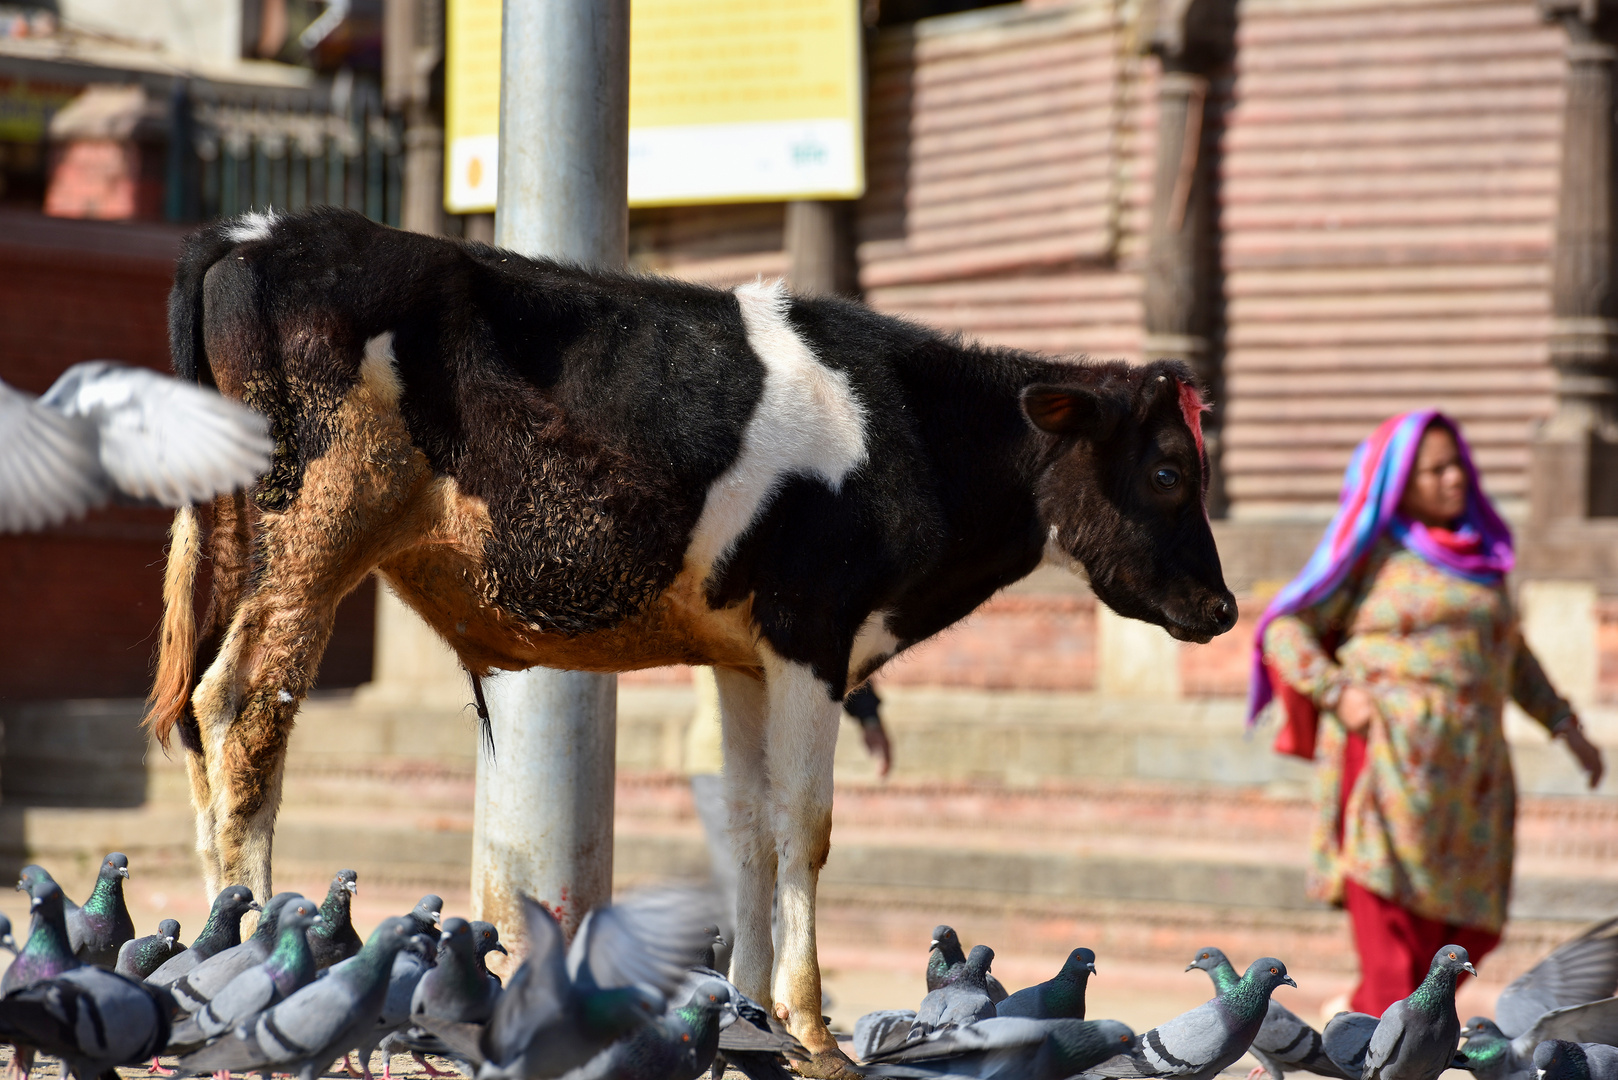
305 1034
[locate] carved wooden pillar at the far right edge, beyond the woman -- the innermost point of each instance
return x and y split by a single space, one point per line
1572 472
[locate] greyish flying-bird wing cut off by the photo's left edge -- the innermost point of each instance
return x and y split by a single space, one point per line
49 470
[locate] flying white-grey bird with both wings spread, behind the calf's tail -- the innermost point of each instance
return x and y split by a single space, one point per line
108 428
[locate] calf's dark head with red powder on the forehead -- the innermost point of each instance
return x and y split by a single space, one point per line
1124 490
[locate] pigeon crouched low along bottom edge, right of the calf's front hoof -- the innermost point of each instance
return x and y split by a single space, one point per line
1010 1048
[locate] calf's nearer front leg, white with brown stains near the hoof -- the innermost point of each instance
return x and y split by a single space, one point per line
800 746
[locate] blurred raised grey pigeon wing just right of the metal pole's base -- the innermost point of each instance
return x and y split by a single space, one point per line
646 940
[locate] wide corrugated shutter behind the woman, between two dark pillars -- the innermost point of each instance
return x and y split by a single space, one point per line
1389 208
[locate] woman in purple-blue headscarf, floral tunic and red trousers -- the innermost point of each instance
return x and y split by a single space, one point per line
1400 631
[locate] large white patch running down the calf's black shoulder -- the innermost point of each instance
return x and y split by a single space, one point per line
807 423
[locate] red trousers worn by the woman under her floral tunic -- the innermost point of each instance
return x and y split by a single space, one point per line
1396 945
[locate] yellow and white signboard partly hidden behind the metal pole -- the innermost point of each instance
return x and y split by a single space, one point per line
729 101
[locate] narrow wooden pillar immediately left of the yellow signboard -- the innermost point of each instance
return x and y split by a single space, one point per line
413 46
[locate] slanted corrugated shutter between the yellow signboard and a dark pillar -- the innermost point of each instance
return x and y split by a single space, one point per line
1001 155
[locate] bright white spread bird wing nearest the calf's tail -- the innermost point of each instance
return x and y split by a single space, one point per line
163 438
